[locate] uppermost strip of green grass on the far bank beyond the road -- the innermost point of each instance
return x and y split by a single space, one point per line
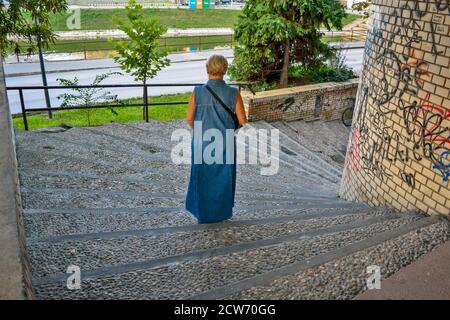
95 19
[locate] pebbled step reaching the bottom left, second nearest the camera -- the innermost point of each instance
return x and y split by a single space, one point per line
193 277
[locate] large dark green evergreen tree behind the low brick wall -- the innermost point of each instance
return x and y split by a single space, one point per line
274 33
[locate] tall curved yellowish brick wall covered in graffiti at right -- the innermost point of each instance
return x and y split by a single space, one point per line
399 149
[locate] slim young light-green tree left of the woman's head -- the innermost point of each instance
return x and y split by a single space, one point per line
139 55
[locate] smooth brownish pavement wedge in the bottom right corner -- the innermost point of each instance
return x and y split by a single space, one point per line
427 278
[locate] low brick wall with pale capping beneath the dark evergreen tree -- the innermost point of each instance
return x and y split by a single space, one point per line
325 101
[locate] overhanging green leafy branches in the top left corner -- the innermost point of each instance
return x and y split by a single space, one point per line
17 22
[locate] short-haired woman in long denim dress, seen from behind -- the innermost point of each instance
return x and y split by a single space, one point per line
210 196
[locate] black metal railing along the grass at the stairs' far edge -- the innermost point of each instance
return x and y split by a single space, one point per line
146 104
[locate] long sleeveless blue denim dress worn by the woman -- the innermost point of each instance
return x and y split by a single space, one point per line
210 195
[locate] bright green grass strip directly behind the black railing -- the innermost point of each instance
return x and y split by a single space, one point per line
103 116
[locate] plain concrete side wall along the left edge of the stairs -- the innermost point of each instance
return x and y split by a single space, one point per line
15 277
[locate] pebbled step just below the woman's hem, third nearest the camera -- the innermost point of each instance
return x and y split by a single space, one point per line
178 244
